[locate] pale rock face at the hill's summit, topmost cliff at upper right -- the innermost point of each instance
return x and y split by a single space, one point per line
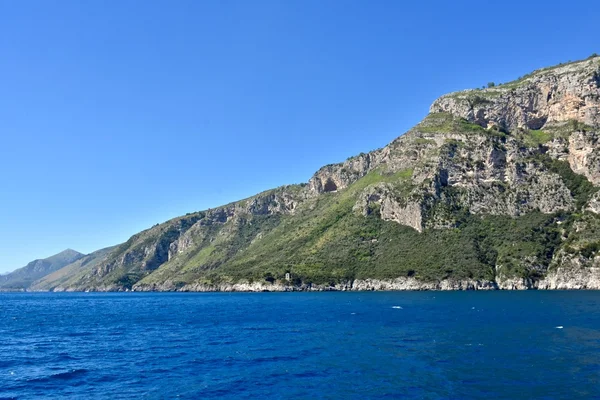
548 96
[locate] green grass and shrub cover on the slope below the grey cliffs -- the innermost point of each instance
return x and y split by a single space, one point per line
327 242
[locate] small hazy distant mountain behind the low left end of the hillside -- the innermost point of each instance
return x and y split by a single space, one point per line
22 278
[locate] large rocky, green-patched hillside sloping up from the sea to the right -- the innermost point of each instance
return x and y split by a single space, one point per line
495 188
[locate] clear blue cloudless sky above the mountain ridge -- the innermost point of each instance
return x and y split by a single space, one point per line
116 115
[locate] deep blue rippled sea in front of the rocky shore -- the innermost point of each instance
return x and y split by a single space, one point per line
300 345
